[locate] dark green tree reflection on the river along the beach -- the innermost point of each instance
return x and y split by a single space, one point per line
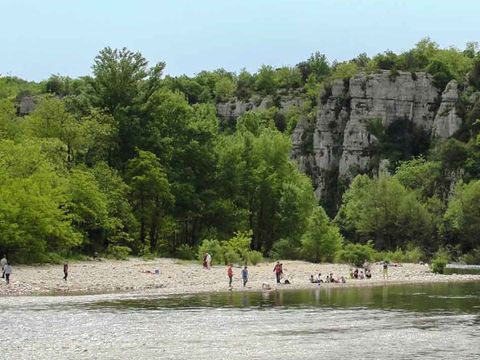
462 297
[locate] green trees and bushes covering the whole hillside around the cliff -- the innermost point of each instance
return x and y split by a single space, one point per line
127 161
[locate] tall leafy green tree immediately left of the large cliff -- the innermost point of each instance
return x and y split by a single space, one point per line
255 172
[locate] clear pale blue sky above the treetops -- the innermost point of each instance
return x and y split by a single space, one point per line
40 38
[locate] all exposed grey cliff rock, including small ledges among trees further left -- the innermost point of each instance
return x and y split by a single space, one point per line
339 145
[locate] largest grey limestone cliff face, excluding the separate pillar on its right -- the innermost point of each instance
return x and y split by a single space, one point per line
342 144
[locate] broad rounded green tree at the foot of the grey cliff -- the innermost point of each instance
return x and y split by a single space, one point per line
383 210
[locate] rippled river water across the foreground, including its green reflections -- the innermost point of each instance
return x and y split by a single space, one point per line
434 321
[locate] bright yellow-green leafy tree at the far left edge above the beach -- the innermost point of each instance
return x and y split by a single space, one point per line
34 218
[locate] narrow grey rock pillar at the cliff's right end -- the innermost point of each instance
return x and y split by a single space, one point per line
447 122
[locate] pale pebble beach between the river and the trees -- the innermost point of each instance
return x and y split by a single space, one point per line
177 277
